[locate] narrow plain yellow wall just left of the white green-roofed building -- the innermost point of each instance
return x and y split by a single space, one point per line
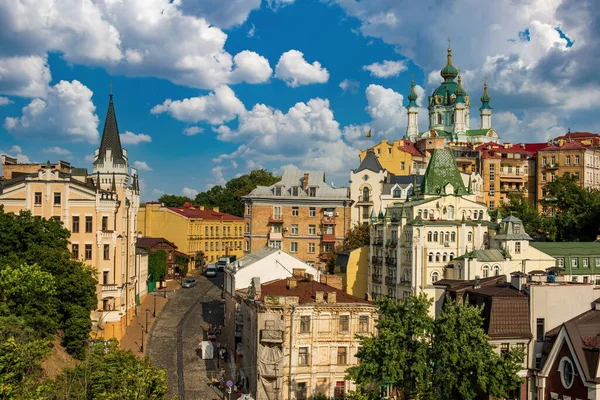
353 267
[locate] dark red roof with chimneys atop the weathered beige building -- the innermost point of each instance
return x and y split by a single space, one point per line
305 290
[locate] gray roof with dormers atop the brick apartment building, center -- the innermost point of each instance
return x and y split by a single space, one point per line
294 178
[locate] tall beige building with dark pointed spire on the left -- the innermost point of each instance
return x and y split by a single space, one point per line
100 210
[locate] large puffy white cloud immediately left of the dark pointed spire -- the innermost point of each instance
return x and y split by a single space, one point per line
67 112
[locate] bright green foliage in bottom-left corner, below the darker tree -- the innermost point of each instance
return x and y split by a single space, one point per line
21 350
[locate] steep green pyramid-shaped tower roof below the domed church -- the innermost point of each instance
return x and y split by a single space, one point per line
442 175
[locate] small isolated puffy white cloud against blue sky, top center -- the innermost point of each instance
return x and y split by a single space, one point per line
295 71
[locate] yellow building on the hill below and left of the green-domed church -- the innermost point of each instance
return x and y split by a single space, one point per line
401 157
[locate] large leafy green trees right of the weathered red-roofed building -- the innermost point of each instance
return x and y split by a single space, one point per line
449 358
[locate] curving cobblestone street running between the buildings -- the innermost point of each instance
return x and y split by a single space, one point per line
173 341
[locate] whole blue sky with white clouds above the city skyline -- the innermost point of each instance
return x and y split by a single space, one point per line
209 89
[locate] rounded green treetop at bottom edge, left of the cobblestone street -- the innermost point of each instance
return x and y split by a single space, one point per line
109 373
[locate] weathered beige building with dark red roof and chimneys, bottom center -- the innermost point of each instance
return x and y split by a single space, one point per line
299 337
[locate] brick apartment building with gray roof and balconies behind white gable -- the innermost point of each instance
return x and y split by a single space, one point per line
301 214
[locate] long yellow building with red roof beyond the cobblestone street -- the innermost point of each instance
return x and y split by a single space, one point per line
194 230
